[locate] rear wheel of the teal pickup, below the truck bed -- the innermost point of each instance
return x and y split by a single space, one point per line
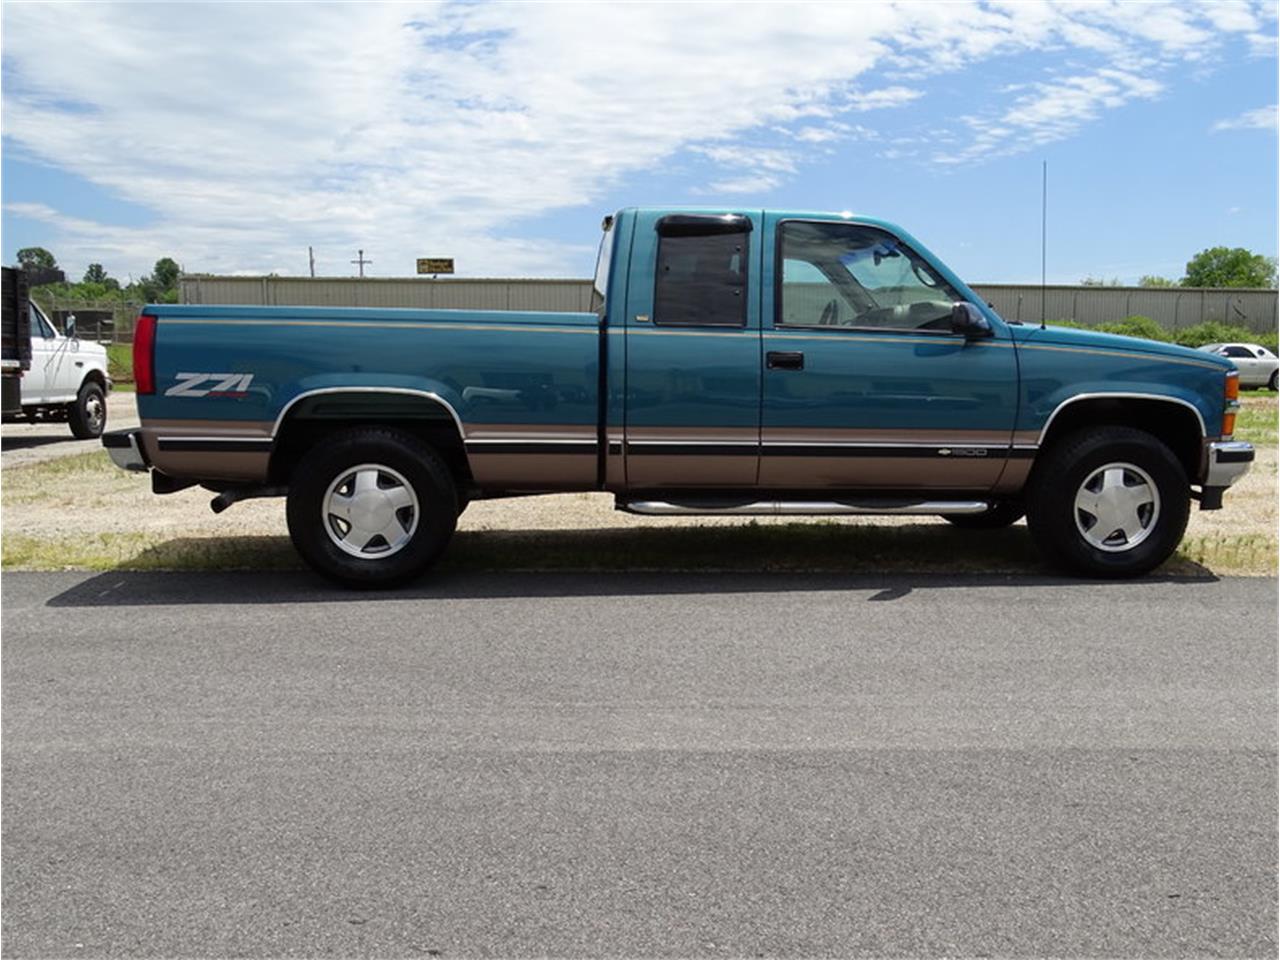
404 468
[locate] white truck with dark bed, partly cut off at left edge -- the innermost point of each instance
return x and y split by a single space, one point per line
49 376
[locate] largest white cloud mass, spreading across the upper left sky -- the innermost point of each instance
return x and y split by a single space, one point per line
252 131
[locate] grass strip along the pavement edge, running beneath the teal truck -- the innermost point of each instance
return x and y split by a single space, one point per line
828 548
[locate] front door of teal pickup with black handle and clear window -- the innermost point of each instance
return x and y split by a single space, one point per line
866 386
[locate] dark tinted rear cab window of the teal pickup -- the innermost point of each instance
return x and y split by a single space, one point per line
702 272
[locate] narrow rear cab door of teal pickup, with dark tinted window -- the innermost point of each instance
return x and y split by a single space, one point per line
693 351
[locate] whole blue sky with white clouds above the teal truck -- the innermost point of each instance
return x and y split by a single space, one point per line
235 136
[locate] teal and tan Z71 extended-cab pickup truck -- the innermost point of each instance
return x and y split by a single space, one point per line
737 363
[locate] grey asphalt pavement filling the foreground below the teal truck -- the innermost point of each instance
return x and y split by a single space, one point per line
633 765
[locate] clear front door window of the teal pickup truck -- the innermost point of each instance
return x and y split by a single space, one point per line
839 275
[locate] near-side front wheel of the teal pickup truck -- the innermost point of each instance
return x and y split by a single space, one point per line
1076 465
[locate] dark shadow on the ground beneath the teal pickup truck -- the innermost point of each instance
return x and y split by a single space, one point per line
888 564
